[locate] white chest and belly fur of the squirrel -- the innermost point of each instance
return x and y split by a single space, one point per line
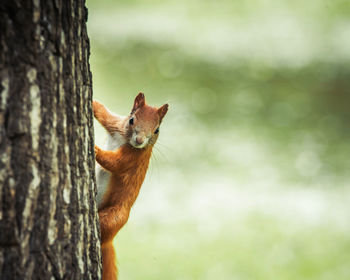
102 175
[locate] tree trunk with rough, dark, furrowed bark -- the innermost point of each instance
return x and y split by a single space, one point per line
48 215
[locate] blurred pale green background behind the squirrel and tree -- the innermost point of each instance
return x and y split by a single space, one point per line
250 176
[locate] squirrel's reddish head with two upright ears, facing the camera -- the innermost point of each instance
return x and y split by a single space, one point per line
143 123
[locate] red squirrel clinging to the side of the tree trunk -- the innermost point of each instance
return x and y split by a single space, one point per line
122 168
